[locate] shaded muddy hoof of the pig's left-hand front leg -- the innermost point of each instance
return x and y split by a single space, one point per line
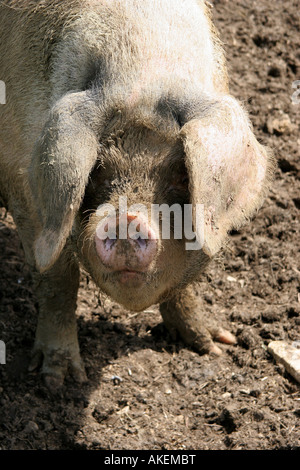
56 365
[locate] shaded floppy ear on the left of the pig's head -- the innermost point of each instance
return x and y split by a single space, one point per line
63 157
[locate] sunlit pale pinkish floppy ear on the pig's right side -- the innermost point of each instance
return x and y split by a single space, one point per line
229 171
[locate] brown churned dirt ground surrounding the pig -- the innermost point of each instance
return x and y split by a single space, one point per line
145 391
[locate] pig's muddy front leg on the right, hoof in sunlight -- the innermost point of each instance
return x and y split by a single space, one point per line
181 315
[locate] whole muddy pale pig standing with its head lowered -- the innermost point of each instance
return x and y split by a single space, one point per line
114 100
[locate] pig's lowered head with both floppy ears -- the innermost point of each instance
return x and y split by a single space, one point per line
98 176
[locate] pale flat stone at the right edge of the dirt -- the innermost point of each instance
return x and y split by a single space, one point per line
287 355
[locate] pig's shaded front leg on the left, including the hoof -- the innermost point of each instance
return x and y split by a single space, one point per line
56 344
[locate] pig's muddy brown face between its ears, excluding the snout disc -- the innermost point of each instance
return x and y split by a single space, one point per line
152 173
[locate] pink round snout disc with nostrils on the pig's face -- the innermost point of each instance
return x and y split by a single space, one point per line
126 243
